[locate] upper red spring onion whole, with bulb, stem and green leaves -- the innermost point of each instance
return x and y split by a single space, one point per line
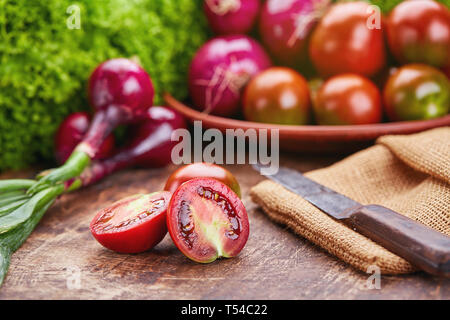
24 202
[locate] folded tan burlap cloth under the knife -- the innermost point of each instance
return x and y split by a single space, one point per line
409 174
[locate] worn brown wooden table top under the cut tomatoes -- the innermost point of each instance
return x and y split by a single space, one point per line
275 264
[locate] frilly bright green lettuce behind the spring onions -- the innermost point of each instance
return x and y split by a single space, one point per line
44 65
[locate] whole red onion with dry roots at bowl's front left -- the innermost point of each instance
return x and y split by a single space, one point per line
221 69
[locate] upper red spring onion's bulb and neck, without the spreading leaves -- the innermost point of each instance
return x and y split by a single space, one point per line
120 92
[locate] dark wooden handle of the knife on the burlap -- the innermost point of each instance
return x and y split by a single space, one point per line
423 247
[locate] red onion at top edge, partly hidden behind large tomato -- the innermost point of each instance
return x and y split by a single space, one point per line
285 27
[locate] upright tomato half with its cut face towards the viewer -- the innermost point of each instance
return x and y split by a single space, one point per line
207 220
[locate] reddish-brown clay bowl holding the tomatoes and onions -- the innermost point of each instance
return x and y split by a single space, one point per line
312 138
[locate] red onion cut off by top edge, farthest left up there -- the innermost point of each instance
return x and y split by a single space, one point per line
228 17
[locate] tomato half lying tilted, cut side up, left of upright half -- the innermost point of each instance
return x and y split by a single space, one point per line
134 224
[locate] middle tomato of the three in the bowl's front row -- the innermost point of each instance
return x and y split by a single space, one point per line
348 99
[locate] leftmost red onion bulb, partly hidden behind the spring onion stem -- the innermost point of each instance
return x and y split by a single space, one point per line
71 133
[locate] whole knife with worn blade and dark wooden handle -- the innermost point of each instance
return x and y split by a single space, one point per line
423 247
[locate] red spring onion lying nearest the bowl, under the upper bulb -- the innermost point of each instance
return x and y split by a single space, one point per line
150 145
